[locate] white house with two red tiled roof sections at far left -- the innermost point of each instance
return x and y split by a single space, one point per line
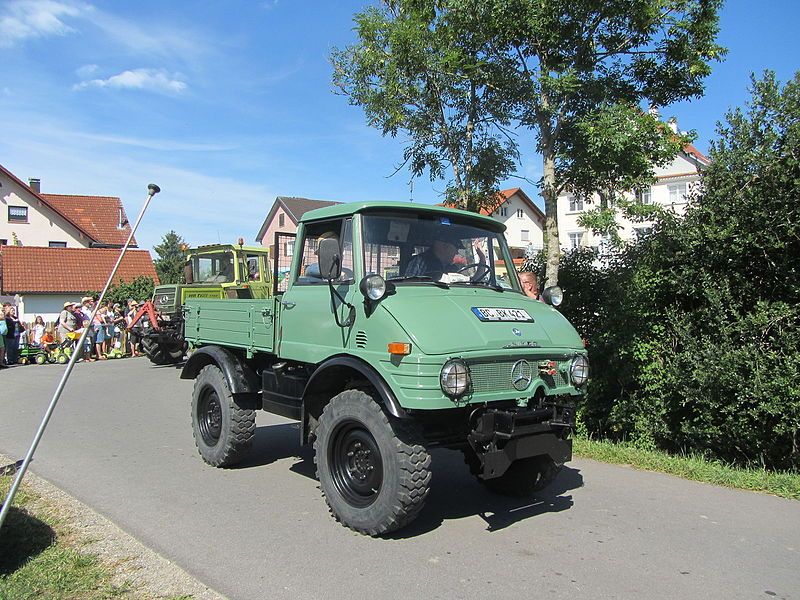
55 247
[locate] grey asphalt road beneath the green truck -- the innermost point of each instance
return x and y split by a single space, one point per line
121 441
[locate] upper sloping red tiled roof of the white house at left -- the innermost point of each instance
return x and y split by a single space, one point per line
99 216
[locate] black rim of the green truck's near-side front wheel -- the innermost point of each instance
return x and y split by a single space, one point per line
356 465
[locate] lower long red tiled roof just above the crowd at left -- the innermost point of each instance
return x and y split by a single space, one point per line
26 269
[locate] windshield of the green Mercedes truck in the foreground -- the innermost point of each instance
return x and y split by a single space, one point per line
435 248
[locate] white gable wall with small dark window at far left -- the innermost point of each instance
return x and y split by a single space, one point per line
44 225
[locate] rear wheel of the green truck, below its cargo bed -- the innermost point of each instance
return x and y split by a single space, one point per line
223 431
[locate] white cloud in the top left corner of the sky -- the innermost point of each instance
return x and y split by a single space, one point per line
25 19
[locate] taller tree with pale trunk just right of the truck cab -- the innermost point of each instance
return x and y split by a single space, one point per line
575 60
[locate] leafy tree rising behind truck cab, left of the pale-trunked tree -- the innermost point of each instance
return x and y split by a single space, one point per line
415 71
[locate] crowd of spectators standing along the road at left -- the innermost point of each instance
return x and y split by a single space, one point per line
111 332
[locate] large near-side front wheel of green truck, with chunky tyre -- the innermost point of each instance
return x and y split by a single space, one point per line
373 471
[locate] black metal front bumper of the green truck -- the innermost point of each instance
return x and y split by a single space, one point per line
499 437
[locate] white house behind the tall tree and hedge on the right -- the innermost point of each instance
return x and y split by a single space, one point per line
673 189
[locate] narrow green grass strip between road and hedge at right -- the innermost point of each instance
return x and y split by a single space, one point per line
695 467
